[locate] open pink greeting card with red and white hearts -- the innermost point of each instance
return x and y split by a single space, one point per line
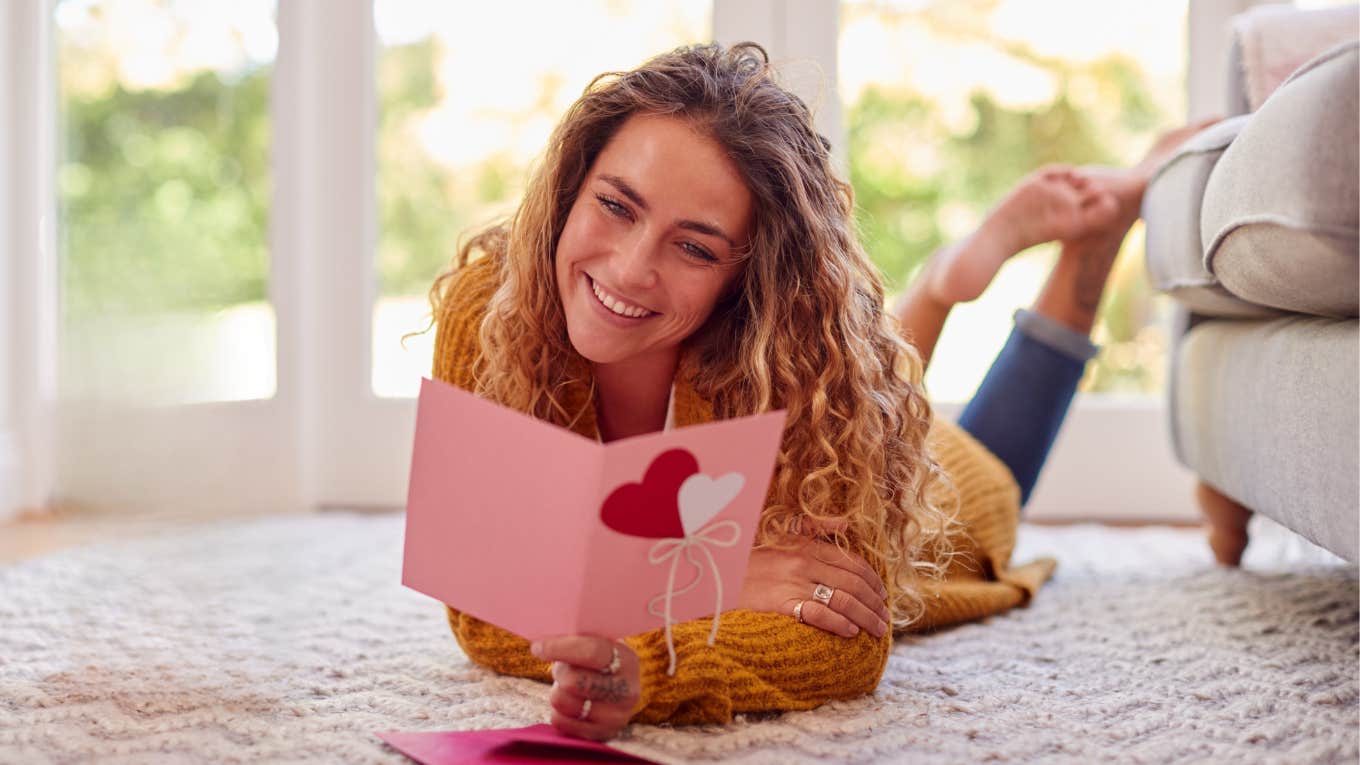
543 533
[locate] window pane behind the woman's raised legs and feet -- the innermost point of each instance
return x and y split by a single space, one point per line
950 104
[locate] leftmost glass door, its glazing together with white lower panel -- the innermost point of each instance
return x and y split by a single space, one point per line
167 333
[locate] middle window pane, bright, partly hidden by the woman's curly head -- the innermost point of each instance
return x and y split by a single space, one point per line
462 118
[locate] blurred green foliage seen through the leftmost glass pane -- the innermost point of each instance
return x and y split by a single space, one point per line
165 195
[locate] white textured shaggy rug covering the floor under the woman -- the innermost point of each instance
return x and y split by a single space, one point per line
290 640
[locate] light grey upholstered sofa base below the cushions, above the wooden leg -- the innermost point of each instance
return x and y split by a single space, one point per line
1268 412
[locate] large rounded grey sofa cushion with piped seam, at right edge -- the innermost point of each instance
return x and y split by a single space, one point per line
1282 208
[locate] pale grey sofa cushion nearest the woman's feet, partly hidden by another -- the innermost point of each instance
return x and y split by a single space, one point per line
1172 216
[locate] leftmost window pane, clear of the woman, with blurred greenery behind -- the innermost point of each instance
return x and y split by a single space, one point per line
164 191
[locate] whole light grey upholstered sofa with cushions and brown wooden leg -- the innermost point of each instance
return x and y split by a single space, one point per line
1252 228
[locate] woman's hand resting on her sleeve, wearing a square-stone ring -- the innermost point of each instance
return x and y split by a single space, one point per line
779 581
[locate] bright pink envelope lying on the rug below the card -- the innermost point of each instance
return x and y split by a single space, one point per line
537 744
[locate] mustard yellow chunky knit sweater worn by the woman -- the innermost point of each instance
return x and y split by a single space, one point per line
762 661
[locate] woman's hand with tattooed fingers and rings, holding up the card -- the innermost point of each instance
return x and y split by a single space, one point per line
596 683
